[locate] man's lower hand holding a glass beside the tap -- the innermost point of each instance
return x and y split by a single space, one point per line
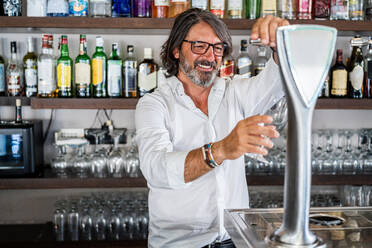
247 137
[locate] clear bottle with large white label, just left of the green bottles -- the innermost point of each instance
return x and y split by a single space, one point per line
46 64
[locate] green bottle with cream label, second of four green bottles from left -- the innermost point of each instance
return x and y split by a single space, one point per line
83 70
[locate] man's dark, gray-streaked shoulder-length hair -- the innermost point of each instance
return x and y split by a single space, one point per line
181 28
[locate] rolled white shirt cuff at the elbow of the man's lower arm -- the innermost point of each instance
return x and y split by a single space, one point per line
176 168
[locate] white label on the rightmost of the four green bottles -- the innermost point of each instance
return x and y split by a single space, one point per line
114 77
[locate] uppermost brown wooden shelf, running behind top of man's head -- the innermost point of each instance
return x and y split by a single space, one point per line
152 23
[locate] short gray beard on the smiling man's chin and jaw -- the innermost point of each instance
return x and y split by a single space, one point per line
203 79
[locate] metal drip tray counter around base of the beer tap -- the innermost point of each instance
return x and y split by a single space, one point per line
337 227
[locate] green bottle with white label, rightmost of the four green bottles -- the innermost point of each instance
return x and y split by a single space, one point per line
114 73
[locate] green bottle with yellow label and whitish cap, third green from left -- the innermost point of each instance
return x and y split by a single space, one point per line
99 64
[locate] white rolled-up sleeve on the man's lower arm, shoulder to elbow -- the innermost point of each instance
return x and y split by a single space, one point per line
160 164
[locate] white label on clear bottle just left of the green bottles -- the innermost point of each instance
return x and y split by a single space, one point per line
46 79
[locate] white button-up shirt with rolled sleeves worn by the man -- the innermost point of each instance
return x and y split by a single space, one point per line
168 127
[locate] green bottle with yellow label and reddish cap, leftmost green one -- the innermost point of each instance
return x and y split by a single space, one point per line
64 71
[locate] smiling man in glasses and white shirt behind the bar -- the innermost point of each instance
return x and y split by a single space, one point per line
193 131
